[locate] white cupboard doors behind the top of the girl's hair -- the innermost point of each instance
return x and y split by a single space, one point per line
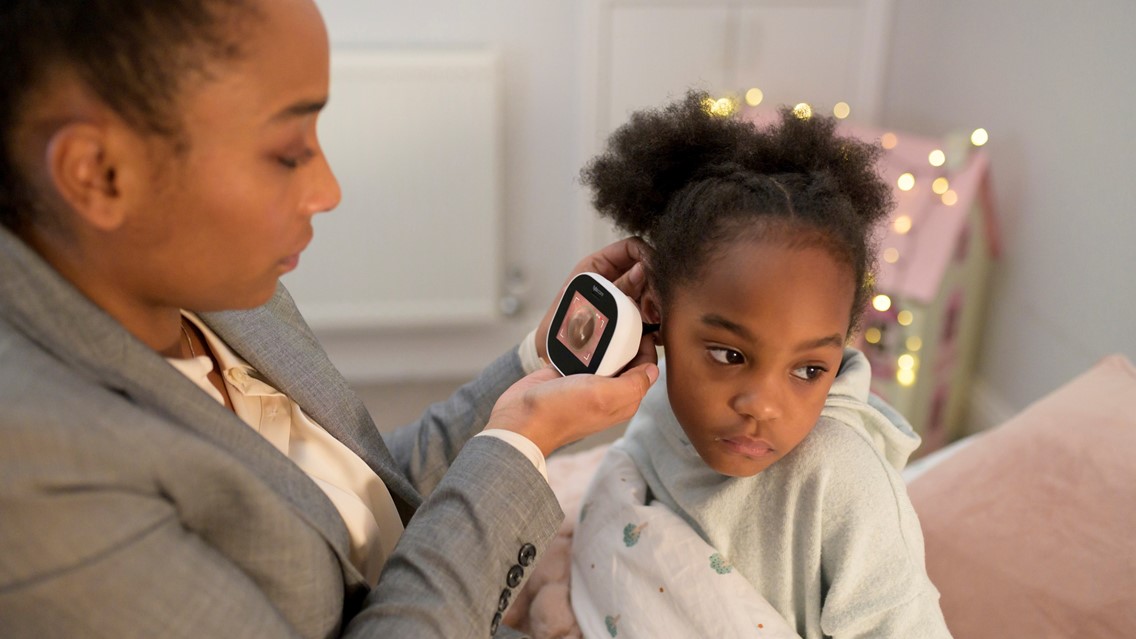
642 54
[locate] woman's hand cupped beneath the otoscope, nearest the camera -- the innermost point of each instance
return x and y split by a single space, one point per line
553 411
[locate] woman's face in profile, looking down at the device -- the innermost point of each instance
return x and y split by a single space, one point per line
225 219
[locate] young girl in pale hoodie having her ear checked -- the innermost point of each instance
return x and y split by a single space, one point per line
764 441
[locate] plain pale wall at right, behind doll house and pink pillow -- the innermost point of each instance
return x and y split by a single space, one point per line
1055 84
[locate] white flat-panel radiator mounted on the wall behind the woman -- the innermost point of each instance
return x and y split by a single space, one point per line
415 140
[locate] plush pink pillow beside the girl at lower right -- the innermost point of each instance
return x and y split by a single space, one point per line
1031 532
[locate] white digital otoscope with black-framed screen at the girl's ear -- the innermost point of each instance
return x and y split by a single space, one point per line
597 329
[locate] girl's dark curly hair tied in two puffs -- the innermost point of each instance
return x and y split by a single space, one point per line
690 184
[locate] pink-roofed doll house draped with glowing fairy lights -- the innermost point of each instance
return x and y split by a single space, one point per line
922 331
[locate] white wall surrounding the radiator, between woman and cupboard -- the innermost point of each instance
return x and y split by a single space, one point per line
539 47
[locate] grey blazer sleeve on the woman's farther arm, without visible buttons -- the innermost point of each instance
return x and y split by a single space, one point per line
424 451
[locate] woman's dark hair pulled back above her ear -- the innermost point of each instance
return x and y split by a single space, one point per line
135 55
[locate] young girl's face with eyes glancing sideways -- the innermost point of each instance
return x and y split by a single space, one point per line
753 351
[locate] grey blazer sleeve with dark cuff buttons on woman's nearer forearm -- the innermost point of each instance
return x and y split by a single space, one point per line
469 550
